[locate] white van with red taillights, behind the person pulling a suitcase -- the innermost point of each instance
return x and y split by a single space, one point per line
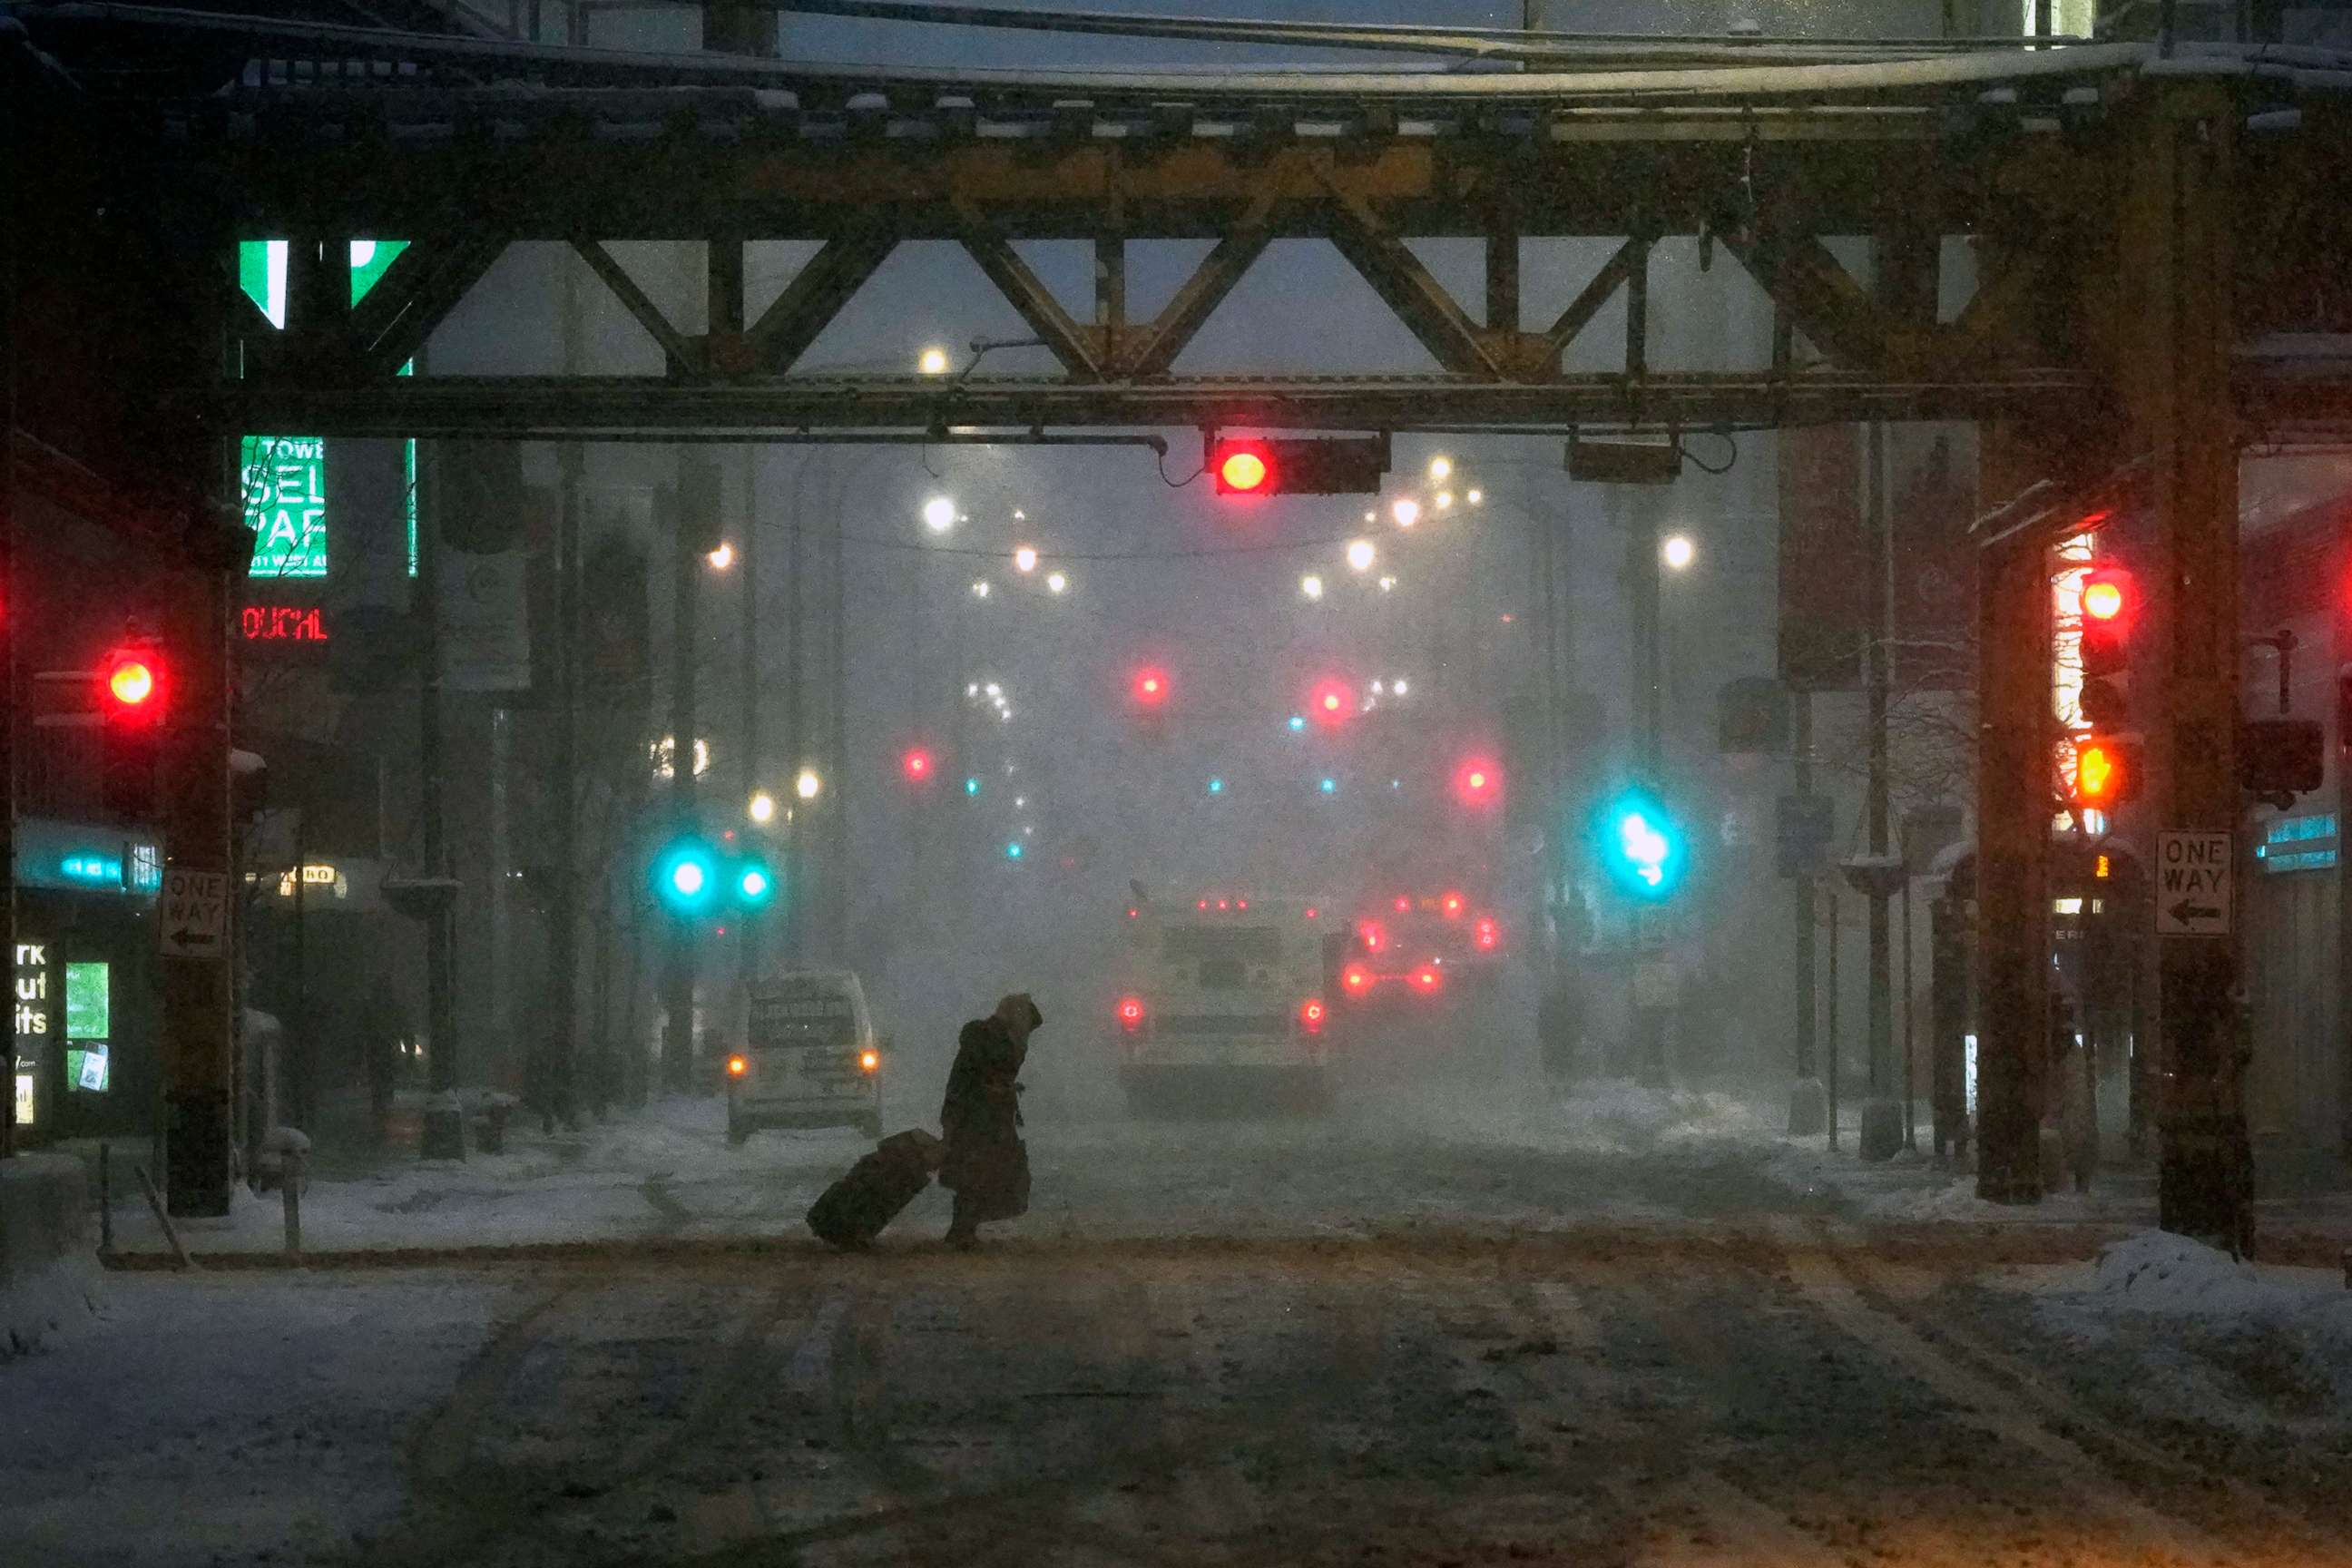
813 1057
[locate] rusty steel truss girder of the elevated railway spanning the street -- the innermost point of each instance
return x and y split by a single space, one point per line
1768 185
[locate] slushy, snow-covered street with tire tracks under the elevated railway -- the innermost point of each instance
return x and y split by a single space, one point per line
1631 1329
